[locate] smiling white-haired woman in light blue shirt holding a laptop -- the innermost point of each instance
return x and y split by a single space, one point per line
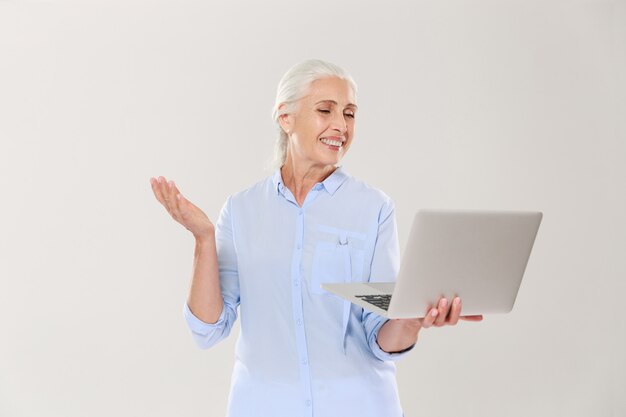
302 351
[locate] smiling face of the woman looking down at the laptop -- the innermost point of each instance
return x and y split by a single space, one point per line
321 126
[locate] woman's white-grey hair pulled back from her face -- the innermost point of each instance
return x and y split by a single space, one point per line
292 88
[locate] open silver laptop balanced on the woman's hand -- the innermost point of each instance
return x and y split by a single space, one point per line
479 256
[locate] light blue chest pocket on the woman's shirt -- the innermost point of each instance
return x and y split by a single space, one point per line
339 258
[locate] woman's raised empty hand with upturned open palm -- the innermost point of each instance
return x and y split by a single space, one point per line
181 209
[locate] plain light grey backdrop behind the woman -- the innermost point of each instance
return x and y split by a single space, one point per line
463 104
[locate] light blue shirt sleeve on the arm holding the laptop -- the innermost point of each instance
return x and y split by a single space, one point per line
385 267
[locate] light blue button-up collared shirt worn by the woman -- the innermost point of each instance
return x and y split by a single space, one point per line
302 351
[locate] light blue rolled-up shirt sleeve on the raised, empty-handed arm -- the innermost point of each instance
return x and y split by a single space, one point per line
204 334
